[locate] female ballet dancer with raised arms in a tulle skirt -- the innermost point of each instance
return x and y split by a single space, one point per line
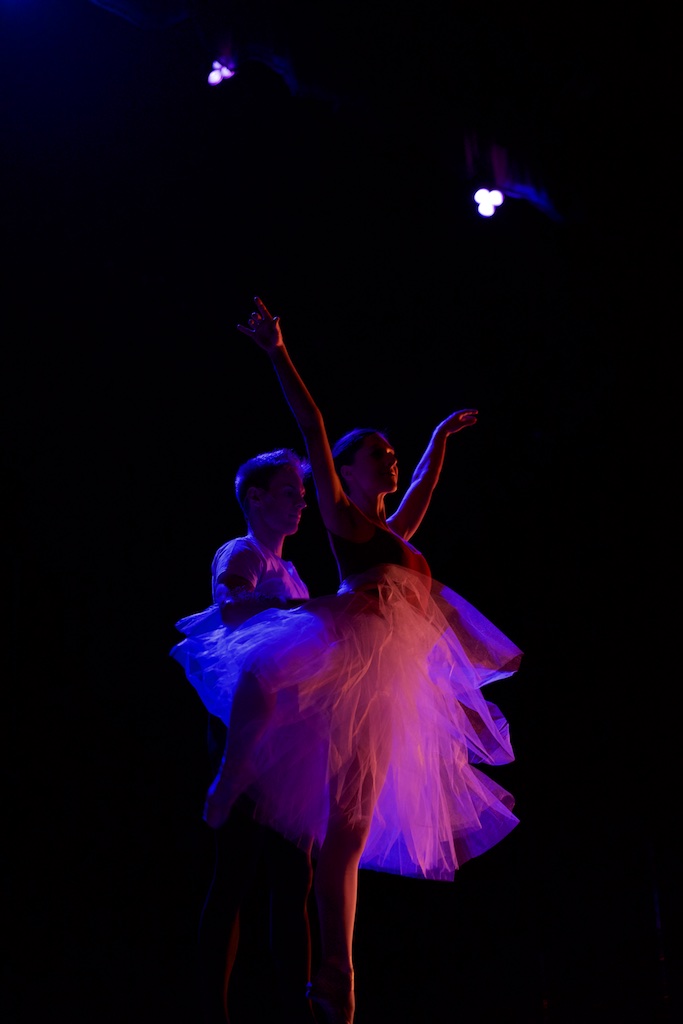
358 718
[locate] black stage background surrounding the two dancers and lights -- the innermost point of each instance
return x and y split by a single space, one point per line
333 177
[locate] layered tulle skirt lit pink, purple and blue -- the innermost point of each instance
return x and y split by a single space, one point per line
377 713
